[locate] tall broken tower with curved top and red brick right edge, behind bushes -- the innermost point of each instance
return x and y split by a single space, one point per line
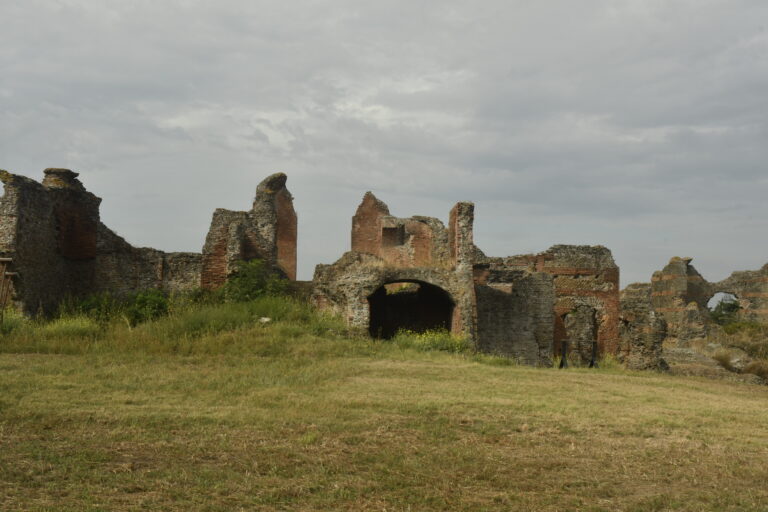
267 231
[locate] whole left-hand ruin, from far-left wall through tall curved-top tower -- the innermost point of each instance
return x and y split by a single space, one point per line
60 247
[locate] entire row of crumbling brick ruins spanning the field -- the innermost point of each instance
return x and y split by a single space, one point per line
400 273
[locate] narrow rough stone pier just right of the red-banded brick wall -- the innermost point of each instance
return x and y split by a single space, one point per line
642 330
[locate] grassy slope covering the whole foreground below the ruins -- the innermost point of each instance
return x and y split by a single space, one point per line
292 415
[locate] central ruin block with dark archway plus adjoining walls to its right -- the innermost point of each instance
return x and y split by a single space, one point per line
519 306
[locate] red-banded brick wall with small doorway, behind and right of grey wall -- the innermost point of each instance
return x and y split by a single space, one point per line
583 277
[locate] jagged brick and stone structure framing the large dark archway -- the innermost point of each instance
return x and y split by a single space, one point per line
388 249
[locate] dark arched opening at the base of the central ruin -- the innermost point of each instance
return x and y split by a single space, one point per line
413 306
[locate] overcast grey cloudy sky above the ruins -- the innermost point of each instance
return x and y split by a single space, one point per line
641 125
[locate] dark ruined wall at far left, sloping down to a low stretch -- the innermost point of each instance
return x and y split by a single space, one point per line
60 248
